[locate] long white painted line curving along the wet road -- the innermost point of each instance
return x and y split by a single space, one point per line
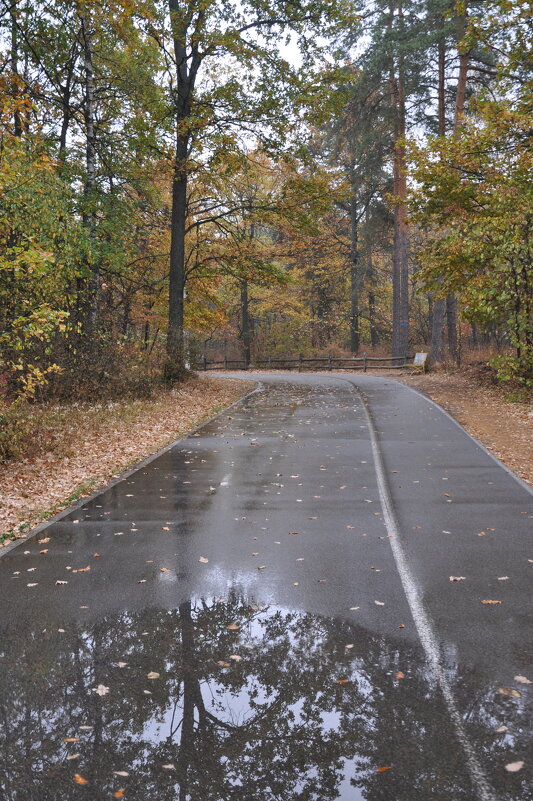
424 625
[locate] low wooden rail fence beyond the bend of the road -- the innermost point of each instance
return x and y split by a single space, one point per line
319 363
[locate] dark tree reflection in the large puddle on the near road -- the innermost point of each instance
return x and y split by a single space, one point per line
249 703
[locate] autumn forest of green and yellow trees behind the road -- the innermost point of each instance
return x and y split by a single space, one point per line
260 178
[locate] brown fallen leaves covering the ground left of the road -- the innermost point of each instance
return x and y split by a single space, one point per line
91 444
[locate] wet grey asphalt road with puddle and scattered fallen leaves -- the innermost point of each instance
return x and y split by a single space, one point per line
246 619
